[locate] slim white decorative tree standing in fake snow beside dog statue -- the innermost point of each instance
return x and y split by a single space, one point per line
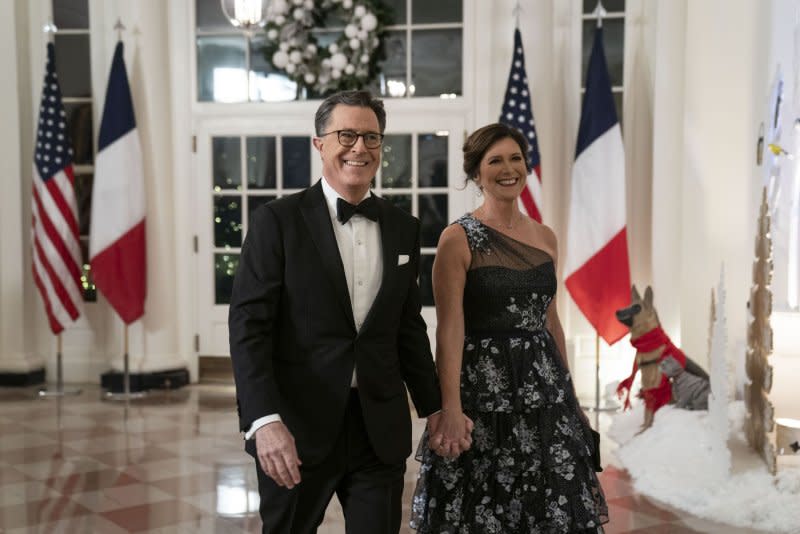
720 374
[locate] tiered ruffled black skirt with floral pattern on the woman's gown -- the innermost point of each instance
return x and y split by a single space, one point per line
529 469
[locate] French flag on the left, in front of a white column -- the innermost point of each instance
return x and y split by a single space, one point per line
117 237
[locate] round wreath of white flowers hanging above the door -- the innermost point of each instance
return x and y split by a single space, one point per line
350 62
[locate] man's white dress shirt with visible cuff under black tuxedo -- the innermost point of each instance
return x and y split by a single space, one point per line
359 242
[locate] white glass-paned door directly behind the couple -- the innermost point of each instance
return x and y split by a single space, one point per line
241 168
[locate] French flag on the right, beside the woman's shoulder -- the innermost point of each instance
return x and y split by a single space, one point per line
597 272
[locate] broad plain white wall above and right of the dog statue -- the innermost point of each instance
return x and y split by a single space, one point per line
724 90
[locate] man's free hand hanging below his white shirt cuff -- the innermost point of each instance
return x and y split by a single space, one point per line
277 454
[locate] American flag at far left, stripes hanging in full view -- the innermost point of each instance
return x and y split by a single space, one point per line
56 246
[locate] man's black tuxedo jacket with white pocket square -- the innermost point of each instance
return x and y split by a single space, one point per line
293 337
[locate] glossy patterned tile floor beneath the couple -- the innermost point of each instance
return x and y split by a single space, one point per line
173 463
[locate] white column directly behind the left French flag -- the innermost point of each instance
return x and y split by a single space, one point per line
153 340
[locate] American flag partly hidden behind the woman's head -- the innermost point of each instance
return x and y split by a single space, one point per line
517 112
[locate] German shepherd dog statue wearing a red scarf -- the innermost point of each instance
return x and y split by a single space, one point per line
667 374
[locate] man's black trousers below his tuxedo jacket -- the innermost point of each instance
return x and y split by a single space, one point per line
369 491
